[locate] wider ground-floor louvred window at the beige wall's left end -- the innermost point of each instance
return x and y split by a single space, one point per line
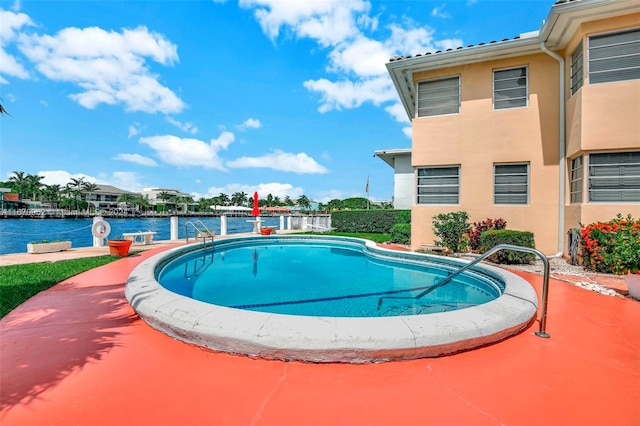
439 185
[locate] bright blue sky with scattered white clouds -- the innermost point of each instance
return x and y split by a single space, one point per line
286 98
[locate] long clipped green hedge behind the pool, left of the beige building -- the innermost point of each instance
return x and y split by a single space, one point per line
374 221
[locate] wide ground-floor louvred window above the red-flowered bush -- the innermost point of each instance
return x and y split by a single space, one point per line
614 177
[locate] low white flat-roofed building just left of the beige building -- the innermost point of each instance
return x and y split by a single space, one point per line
403 175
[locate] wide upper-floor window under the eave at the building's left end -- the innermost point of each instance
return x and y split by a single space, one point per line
439 97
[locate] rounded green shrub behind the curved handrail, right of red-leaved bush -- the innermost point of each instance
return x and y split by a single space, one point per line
492 238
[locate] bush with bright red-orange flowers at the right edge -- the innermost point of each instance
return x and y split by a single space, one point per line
612 247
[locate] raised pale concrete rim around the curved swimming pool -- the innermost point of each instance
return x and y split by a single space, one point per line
329 339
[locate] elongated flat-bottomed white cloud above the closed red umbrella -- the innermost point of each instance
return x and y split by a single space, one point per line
283 161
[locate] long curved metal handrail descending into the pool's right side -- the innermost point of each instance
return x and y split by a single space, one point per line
545 281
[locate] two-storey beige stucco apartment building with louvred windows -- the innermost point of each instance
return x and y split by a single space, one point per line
542 130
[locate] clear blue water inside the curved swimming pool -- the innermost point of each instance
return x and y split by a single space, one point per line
321 277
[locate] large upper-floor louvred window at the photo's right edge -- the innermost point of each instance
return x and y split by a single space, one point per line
630 53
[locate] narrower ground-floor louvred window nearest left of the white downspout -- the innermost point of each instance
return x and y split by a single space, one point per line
511 183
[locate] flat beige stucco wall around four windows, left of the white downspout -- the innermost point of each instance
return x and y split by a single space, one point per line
479 137
